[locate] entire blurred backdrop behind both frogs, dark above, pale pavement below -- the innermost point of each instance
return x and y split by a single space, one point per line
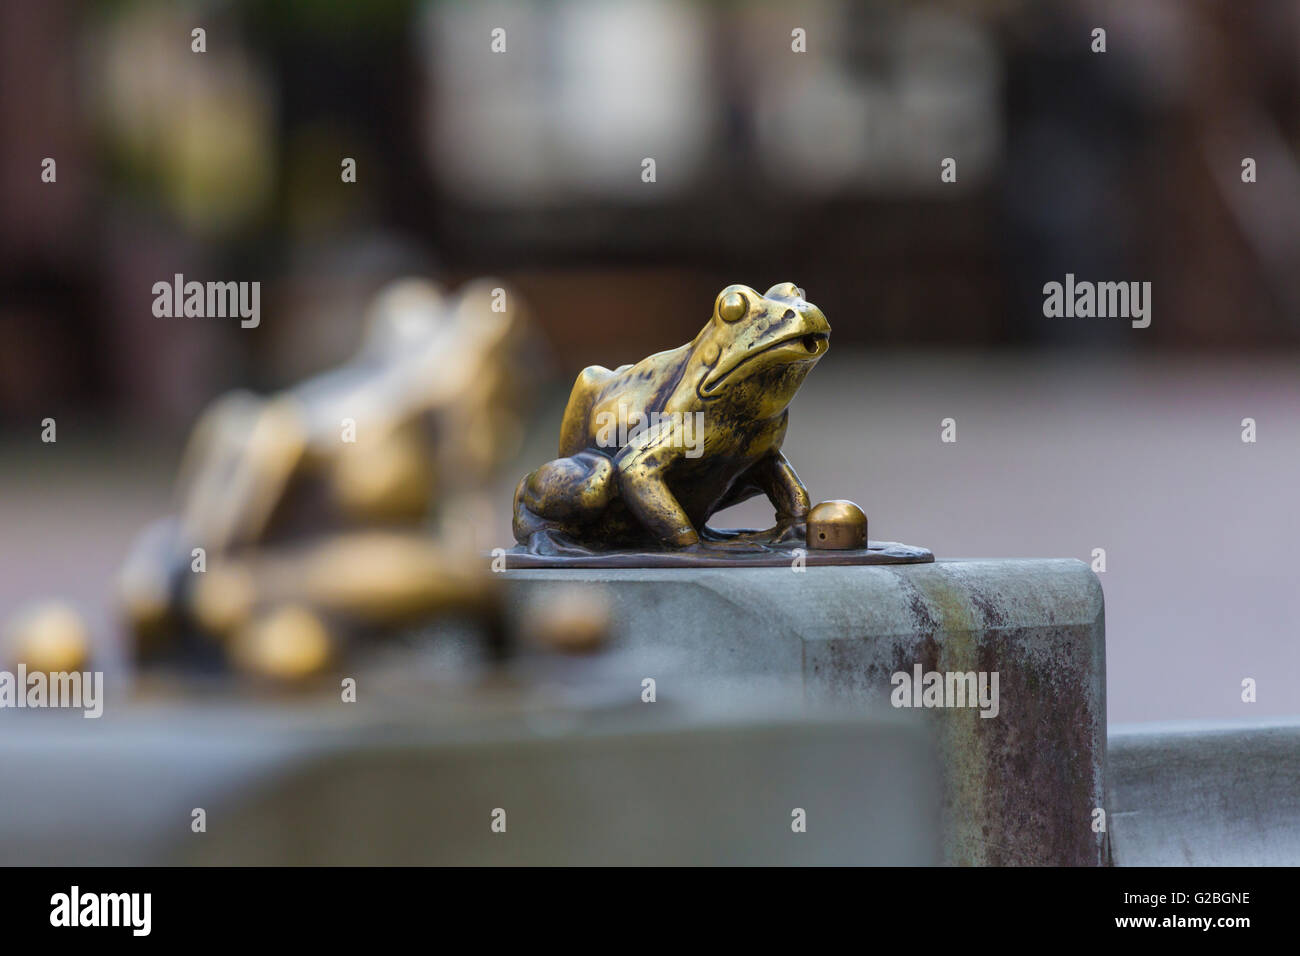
820 167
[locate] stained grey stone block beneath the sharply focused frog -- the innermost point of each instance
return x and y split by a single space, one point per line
1020 788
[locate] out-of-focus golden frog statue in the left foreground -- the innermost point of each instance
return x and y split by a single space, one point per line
345 503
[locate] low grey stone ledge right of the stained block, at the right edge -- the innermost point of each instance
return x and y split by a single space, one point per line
1195 794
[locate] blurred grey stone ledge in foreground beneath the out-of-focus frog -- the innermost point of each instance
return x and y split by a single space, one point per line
414 780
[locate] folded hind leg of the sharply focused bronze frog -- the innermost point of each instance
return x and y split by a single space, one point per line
557 503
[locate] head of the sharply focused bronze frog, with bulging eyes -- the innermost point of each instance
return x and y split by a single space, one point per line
760 347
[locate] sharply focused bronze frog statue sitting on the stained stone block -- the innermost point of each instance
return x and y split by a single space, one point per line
651 452
